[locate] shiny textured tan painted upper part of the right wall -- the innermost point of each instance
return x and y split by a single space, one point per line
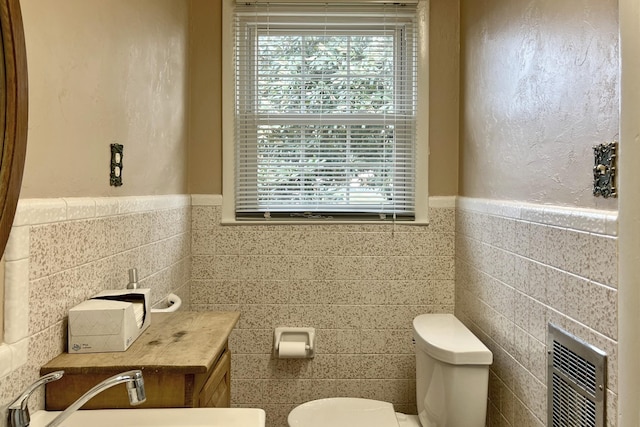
540 87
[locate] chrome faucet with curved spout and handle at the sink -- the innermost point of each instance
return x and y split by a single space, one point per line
18 411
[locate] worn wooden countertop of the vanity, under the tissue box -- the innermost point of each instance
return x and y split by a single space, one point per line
178 342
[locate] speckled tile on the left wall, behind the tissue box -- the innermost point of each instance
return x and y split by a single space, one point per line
63 251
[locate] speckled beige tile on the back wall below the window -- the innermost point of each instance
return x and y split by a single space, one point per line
359 285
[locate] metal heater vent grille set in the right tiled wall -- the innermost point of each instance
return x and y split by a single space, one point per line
576 381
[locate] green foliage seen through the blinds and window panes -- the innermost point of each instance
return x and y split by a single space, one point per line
325 76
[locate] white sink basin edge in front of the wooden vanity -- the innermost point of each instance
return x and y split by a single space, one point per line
170 417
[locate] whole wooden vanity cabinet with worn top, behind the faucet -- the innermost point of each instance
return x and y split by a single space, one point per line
184 358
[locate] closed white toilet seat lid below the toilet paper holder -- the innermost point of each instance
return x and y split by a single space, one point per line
343 412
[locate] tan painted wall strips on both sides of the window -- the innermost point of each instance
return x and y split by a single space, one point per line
205 168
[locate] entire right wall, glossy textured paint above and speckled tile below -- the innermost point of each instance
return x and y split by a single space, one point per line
540 86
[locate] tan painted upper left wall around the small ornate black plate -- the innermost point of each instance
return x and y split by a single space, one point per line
103 72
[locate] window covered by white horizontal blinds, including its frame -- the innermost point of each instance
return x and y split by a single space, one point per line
326 110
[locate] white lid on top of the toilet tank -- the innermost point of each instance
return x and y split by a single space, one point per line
445 338
